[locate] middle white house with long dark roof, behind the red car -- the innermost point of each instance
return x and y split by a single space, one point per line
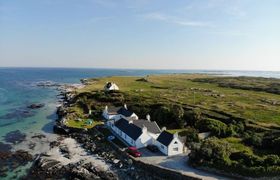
138 133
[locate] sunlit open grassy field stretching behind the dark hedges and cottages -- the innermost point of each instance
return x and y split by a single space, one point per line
253 105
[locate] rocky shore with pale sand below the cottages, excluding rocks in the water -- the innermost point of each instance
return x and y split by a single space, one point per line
81 154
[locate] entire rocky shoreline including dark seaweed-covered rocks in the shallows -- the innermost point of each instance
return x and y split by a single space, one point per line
74 153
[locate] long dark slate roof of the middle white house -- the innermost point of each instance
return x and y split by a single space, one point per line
130 129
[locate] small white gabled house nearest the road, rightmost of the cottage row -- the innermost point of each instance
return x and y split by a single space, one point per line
169 144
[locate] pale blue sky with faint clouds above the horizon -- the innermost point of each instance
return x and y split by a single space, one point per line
154 34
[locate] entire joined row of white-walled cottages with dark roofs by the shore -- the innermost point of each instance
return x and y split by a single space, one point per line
140 133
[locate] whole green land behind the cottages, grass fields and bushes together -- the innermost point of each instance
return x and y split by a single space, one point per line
242 115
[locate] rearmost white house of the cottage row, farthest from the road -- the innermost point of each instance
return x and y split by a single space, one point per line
113 114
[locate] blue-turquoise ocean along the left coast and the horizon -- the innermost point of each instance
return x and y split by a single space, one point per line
18 90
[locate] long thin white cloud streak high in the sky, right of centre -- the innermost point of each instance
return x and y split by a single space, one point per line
175 20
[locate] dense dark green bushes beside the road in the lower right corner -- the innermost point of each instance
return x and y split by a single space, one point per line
216 153
